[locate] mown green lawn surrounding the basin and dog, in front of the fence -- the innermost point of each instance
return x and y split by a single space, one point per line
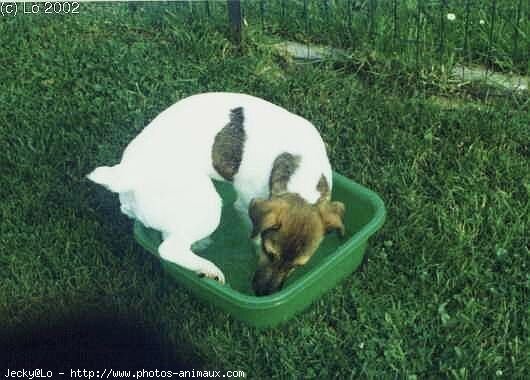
443 292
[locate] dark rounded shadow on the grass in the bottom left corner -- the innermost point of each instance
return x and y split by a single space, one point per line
93 342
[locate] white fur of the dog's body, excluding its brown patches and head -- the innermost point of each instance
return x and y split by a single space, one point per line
163 179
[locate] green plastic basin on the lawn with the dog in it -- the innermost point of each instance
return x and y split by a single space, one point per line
232 252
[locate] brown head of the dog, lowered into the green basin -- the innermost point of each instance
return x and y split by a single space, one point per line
289 231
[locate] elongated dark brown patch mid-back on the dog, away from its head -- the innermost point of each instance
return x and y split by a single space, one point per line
227 150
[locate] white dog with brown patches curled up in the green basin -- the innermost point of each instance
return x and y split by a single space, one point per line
276 161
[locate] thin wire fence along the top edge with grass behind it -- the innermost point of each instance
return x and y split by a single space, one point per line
462 38
